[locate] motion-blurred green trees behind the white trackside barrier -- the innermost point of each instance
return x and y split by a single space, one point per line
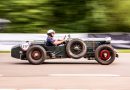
66 16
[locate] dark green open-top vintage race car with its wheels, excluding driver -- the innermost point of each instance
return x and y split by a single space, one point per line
37 52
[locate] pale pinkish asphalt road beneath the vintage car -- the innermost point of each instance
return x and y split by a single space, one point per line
65 74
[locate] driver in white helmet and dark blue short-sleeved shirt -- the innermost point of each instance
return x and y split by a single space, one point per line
50 39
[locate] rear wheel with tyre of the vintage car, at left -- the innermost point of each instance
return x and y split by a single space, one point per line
36 55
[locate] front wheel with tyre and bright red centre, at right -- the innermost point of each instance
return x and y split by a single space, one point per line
105 54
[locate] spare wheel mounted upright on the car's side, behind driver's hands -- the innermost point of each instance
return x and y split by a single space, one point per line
76 48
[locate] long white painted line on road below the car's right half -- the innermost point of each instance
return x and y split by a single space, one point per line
84 75
